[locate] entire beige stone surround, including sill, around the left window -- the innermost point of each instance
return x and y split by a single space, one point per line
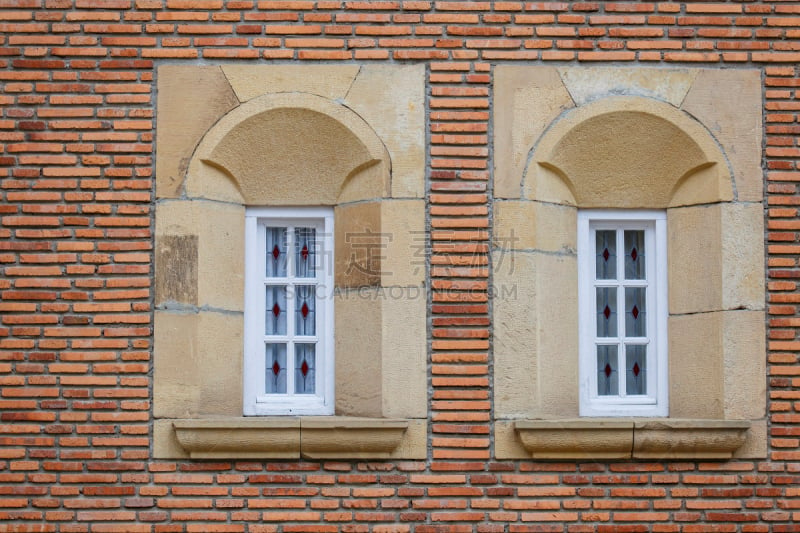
363 133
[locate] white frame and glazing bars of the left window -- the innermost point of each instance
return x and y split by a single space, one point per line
256 401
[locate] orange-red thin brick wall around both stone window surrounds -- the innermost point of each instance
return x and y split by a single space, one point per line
77 156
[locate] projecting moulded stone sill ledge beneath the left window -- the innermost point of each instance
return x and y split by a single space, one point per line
324 437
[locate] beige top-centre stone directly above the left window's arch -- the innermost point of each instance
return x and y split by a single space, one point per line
330 81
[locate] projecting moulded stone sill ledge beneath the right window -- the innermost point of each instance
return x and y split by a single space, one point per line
661 438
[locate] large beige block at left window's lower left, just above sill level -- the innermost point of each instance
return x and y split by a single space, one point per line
198 364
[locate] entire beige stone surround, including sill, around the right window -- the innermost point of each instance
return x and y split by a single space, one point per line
553 158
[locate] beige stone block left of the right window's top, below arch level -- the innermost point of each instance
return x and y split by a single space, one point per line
527 225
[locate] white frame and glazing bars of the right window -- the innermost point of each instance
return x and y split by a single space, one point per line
655 402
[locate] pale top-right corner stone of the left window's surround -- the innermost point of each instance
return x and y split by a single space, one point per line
392 99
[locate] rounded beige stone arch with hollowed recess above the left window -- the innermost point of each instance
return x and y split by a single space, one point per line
290 149
